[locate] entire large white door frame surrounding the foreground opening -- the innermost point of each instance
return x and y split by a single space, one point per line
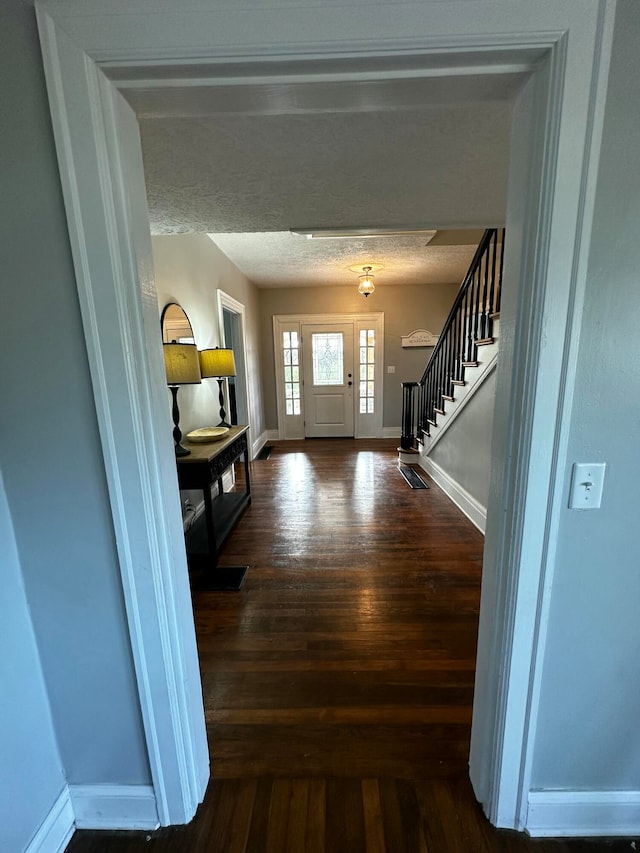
89 53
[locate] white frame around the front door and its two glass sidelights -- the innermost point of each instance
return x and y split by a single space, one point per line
292 426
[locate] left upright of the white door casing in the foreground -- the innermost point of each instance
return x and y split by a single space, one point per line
102 178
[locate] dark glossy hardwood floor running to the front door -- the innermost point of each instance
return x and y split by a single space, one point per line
338 682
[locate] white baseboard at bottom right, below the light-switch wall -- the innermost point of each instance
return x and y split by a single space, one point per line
583 813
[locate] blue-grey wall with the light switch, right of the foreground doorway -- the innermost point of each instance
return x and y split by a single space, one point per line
587 729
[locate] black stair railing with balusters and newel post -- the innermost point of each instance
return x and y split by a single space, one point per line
469 325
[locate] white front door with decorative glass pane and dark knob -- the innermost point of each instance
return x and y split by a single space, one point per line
328 379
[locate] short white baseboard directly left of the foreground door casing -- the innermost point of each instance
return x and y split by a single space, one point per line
114 806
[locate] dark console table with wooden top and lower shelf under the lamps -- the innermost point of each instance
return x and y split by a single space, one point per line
203 468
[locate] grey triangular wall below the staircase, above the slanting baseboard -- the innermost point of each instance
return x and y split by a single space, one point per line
464 451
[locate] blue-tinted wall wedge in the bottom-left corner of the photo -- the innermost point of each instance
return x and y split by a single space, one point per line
32 775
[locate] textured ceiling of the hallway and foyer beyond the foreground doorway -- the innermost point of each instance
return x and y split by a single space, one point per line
247 178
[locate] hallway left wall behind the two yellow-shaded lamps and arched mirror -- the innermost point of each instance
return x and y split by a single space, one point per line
189 269
